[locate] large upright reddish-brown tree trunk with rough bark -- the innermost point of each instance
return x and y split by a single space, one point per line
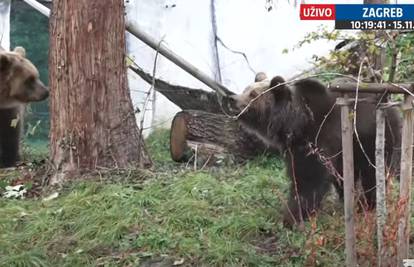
93 124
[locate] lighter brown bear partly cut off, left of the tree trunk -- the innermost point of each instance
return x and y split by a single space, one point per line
20 84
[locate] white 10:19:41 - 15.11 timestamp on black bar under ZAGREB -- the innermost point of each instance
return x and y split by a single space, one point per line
374 25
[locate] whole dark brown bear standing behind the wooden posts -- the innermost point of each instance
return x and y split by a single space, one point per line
289 119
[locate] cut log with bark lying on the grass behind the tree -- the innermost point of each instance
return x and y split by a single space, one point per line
214 134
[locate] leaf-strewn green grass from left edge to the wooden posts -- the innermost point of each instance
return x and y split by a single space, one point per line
226 216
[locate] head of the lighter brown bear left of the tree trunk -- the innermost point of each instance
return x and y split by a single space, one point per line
20 81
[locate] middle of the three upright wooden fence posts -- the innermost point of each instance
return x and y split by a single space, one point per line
381 188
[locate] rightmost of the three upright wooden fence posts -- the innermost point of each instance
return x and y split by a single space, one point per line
405 180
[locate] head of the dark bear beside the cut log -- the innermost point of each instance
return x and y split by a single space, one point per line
273 111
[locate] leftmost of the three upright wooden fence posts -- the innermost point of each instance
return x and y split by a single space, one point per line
348 175
